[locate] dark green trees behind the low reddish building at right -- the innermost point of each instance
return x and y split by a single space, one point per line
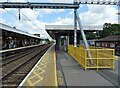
108 30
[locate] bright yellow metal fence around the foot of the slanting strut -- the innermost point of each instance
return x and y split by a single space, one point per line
100 57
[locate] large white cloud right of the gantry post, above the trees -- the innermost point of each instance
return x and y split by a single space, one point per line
98 15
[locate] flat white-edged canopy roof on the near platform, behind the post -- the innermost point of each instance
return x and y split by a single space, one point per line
68 29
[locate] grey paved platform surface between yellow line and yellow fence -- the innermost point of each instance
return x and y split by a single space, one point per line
76 76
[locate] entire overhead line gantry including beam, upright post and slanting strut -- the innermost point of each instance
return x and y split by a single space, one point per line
74 6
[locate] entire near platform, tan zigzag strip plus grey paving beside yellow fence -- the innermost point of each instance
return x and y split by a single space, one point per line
60 69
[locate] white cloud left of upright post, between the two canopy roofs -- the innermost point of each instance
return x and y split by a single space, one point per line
38 26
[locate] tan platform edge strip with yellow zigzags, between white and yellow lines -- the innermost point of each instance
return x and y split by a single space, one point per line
44 72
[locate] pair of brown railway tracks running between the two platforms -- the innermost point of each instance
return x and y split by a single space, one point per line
16 69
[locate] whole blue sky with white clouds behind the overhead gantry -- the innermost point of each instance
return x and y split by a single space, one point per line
34 21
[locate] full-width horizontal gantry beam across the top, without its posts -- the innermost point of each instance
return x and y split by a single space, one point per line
55 5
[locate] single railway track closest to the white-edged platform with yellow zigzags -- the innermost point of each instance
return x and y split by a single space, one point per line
17 75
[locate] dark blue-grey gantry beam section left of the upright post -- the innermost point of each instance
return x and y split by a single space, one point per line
38 5
